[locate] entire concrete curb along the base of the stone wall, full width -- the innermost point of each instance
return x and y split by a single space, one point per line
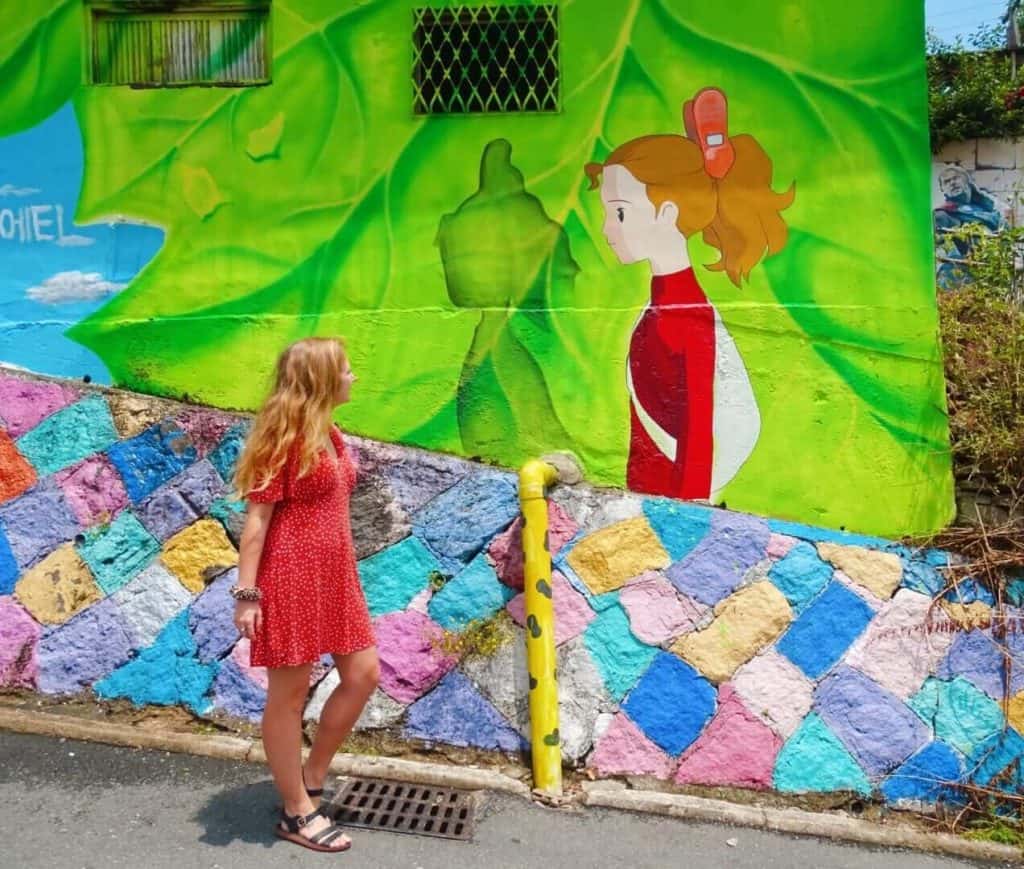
598 795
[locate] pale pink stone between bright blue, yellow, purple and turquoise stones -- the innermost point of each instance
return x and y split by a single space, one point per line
776 691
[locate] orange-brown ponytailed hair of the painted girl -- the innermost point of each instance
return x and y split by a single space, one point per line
736 208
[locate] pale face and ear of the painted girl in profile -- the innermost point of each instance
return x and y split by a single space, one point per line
634 228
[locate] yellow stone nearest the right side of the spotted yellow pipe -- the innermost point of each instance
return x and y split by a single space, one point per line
610 558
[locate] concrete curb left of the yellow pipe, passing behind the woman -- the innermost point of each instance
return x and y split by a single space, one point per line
237 749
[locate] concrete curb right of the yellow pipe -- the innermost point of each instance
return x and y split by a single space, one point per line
793 821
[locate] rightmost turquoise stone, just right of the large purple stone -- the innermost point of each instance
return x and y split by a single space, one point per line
960 714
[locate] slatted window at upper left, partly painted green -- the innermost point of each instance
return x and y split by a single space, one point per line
142 44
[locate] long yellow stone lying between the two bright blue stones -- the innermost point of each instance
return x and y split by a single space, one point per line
744 625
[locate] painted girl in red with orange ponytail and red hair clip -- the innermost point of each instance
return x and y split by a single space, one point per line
695 419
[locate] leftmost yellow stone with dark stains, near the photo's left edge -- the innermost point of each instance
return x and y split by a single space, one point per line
59 587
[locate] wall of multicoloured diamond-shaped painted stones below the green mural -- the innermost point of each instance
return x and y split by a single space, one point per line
696 645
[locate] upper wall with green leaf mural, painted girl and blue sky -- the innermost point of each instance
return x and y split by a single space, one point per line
173 241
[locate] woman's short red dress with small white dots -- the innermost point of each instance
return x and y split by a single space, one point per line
313 602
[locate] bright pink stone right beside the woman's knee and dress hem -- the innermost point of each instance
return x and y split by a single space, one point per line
412 660
